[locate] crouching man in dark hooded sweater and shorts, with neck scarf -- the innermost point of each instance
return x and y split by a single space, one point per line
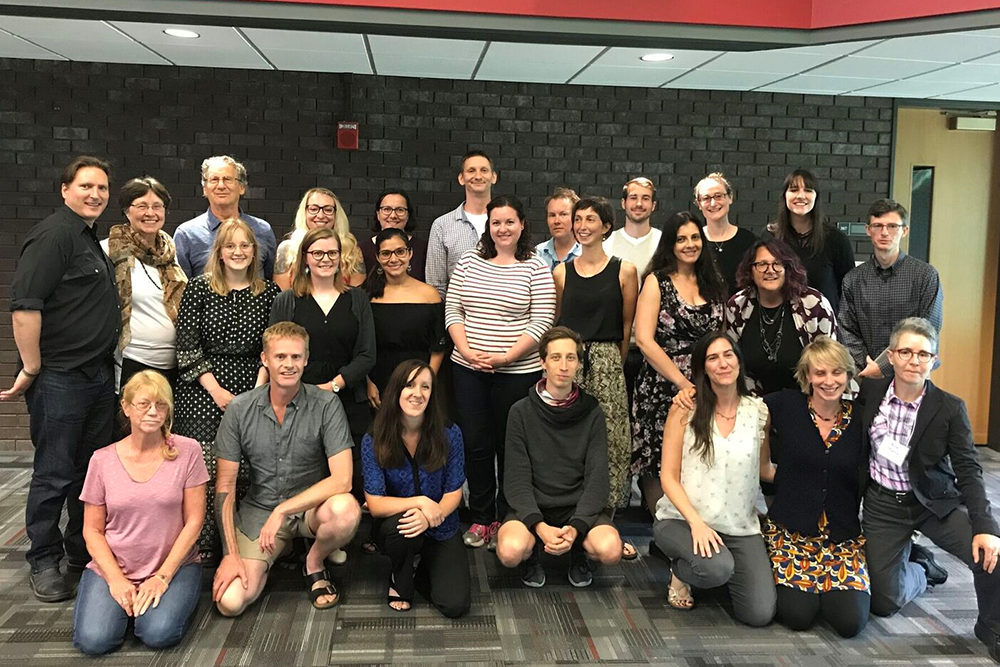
556 471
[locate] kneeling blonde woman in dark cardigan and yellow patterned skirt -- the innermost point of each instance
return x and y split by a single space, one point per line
812 530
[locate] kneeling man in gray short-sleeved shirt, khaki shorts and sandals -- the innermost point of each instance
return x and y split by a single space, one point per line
290 434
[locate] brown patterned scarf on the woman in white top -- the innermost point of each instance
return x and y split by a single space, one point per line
125 245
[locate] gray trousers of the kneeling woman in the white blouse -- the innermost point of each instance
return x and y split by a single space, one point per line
742 565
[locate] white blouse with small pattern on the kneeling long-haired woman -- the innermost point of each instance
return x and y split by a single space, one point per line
724 490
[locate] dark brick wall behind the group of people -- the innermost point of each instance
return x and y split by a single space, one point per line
164 120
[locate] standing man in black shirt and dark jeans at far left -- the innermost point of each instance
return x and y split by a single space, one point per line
66 318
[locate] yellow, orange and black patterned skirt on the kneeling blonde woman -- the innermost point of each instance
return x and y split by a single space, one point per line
815 563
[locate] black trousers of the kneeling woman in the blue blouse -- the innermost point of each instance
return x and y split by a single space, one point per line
443 574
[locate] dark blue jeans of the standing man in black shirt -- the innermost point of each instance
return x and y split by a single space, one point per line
71 416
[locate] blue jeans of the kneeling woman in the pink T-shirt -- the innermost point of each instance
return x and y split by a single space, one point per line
99 624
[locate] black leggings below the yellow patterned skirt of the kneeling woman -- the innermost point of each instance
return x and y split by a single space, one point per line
845 611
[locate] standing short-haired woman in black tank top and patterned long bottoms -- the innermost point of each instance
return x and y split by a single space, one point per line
596 296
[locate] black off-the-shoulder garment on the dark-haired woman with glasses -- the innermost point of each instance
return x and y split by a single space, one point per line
405 331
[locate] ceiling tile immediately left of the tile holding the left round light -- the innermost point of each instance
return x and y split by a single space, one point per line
91 41
